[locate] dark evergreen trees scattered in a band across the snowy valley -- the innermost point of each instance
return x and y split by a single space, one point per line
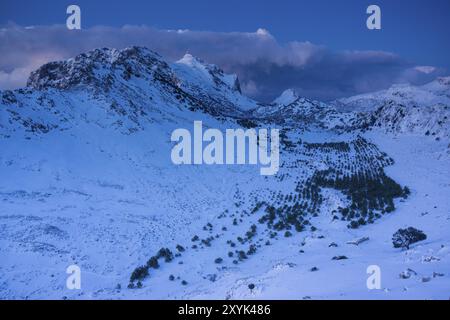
357 172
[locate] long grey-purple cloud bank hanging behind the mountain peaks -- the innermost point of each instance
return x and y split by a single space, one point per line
265 66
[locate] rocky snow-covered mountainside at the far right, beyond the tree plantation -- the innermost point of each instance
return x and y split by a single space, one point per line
421 110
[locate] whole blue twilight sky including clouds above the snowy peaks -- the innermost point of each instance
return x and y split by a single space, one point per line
415 32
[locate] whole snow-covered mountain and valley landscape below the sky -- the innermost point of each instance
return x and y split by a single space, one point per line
87 179
